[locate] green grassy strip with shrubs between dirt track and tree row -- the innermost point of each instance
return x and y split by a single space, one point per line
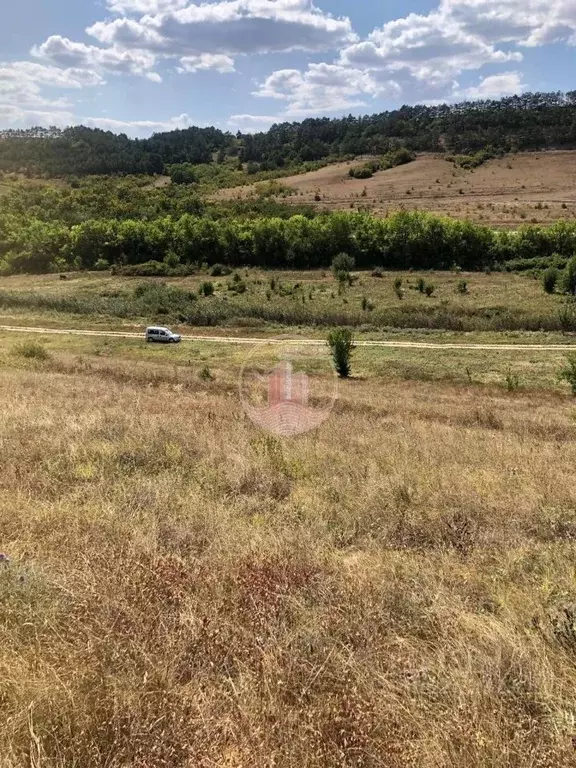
493 303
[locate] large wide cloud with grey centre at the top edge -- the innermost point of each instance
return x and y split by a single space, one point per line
230 27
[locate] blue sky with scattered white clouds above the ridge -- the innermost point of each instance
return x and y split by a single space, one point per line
141 66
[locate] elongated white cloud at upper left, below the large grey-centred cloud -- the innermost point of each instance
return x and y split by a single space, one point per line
64 52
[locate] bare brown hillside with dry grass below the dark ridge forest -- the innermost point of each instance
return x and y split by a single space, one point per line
517 189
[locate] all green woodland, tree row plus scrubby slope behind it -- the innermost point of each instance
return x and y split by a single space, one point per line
110 223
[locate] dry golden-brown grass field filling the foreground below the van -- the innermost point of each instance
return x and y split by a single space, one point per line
395 589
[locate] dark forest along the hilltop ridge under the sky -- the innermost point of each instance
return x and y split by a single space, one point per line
527 122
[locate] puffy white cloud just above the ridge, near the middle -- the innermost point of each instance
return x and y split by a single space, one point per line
324 88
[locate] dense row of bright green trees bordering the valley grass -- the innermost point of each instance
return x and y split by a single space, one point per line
405 240
